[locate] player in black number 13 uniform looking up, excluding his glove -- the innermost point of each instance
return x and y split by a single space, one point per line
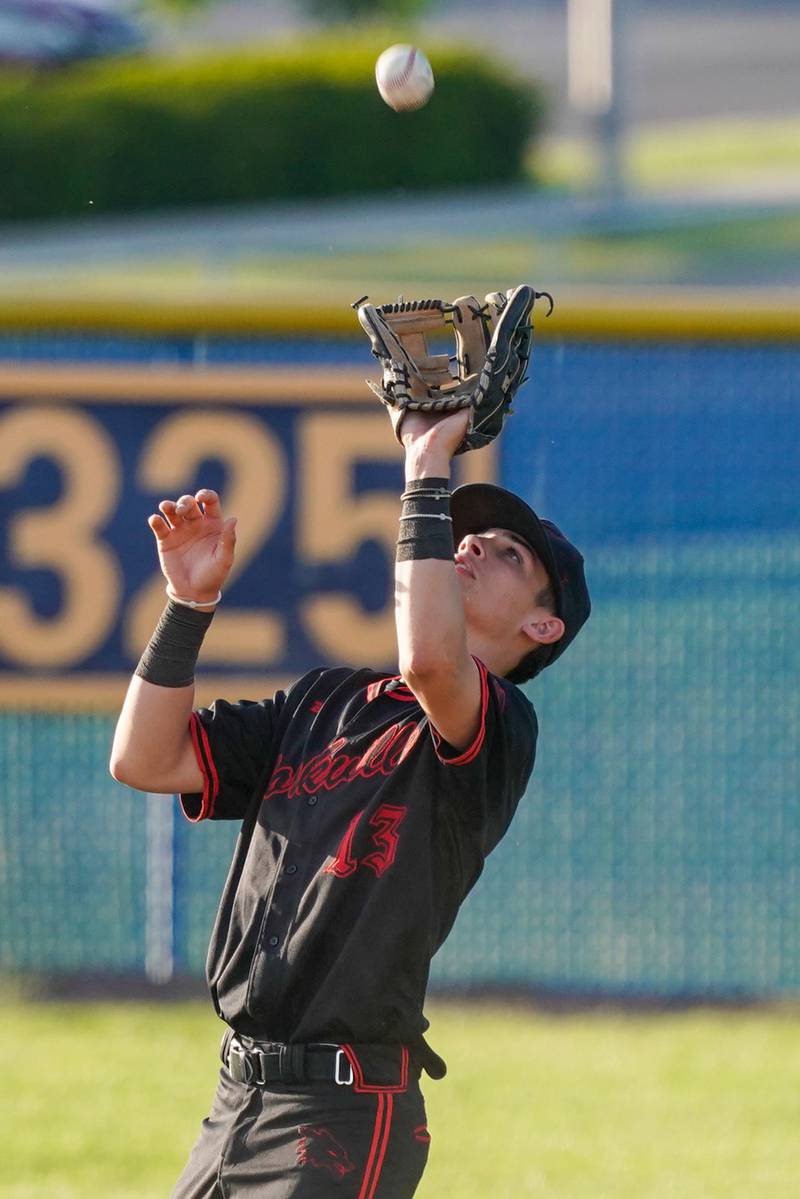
368 805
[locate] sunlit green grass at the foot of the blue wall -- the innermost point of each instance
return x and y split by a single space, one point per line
104 1101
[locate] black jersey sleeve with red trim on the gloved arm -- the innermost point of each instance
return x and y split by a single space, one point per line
483 785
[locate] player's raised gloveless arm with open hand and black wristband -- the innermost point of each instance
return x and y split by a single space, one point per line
153 749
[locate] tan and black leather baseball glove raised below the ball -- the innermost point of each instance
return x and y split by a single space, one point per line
494 346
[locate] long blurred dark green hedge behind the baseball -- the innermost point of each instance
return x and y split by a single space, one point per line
161 134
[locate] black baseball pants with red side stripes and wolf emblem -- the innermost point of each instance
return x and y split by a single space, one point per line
314 1141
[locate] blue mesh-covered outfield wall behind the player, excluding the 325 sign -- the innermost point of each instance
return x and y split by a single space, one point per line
658 852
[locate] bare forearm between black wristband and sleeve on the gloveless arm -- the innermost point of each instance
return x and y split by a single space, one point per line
153 746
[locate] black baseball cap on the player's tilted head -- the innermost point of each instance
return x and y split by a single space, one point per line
479 507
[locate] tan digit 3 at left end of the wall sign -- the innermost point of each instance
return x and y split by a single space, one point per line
62 538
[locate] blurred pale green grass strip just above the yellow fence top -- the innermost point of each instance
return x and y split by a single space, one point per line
699 252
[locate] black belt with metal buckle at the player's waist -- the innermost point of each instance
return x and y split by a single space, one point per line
258 1063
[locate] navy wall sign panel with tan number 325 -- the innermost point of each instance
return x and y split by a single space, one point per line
276 462
